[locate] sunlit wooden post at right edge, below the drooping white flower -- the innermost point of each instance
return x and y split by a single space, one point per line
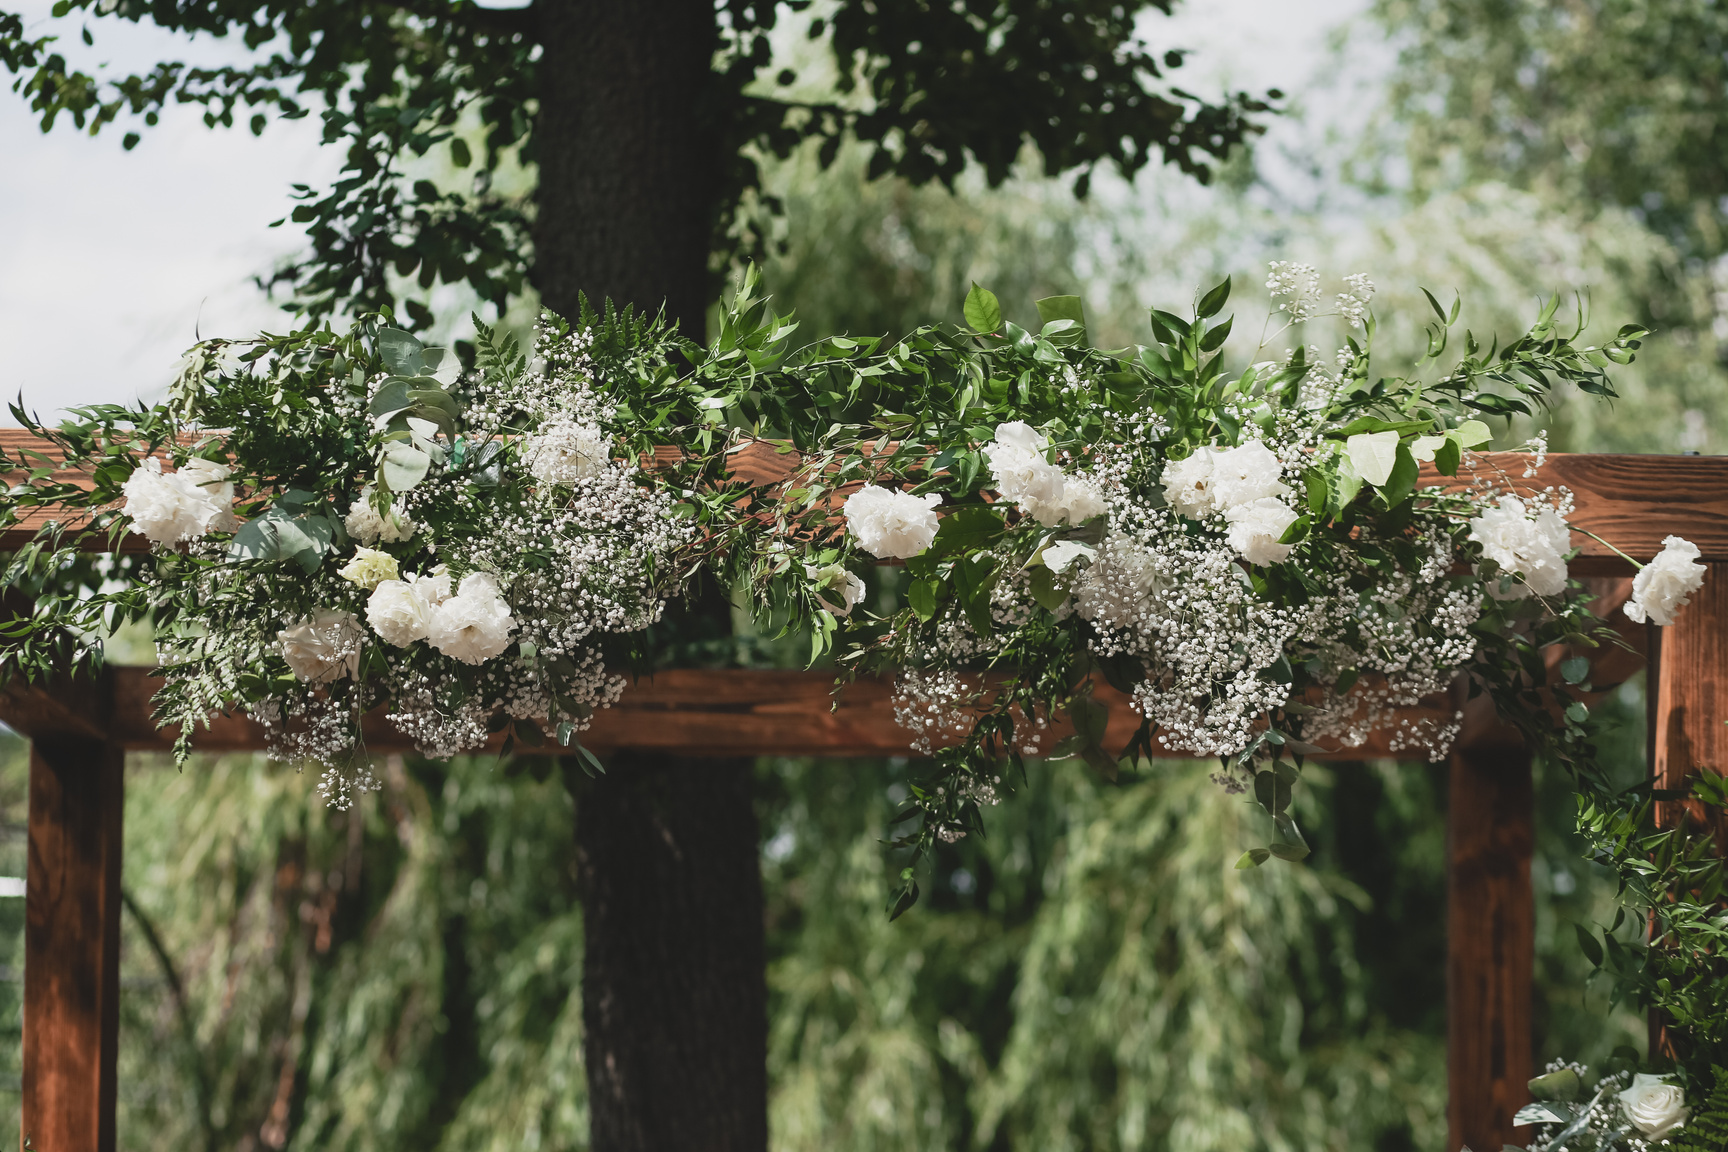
1689 731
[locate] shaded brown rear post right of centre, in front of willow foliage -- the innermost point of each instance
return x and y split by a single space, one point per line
1490 944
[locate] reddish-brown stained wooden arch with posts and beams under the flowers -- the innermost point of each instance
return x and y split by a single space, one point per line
82 731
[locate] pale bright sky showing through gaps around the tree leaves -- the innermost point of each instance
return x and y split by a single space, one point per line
113 263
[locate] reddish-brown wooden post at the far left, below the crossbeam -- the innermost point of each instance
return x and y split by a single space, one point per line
72 944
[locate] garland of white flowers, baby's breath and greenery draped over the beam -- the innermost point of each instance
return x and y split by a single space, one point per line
341 522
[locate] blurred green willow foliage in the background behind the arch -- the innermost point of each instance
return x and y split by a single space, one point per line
1095 973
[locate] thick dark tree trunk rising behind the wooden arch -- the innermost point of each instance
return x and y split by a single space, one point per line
673 989
